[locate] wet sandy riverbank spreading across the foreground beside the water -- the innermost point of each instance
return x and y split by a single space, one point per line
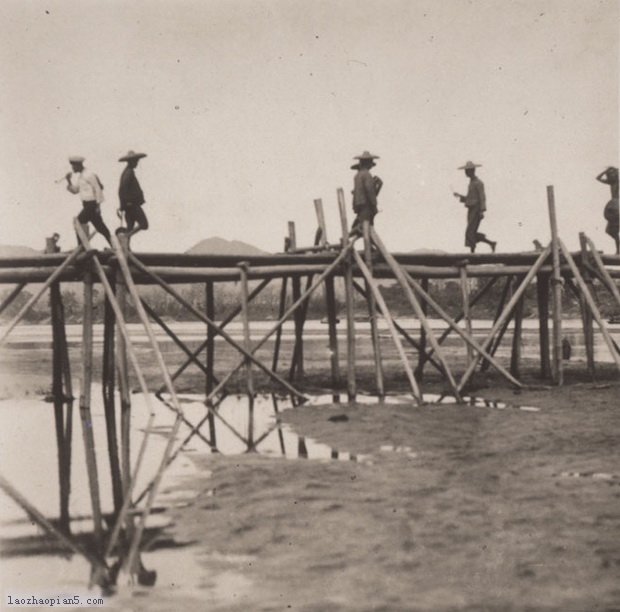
446 508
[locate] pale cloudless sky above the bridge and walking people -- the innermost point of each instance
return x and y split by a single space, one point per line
250 109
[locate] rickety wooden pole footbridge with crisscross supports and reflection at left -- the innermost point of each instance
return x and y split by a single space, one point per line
307 269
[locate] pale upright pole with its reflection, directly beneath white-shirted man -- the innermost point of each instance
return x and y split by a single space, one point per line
85 412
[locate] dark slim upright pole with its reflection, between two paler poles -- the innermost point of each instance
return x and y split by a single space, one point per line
109 404
